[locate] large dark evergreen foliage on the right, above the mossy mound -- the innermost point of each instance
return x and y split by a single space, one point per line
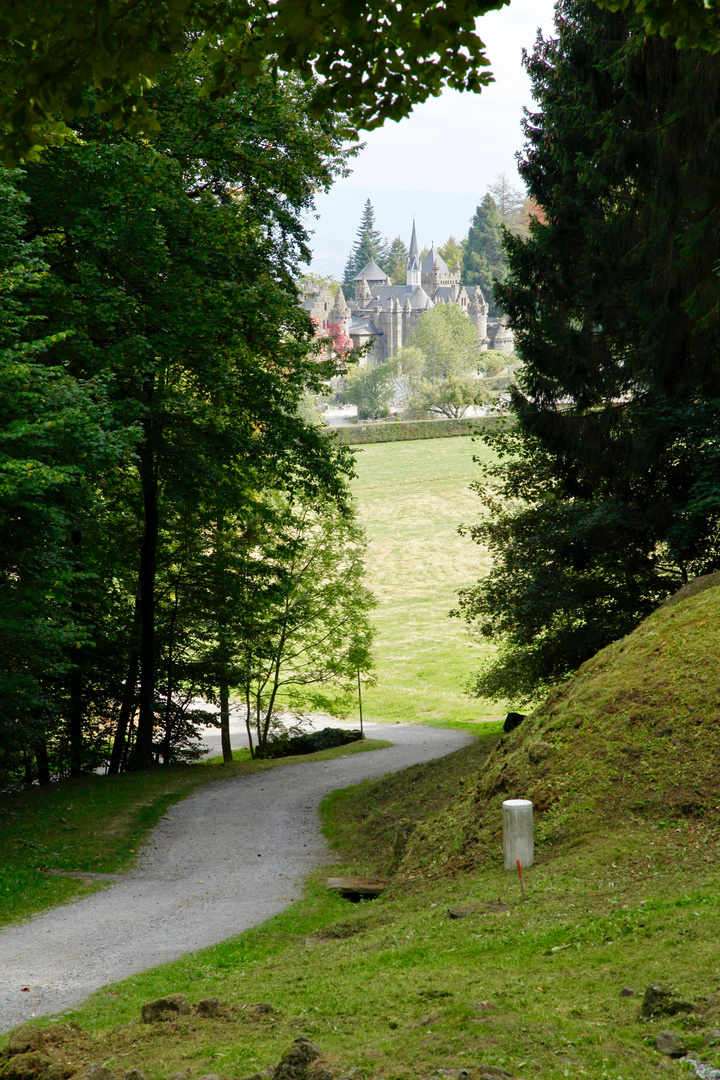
607 498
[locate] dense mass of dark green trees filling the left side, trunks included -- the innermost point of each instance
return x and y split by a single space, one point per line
154 366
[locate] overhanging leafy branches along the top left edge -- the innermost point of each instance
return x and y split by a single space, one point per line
375 61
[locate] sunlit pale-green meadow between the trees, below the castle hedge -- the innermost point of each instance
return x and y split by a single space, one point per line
412 498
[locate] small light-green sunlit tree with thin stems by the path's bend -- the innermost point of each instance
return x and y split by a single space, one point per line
296 634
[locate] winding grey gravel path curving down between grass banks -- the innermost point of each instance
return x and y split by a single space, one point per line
224 860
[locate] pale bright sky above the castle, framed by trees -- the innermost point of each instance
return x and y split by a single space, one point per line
438 164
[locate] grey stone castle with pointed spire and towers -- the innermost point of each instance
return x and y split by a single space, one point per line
385 316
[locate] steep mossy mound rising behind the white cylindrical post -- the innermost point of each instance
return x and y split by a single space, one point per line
634 737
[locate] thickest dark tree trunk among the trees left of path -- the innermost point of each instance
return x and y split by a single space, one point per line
143 751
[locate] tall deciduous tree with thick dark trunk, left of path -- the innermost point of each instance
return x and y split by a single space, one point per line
174 263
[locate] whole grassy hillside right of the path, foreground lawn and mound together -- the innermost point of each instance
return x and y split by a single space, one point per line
626 892
